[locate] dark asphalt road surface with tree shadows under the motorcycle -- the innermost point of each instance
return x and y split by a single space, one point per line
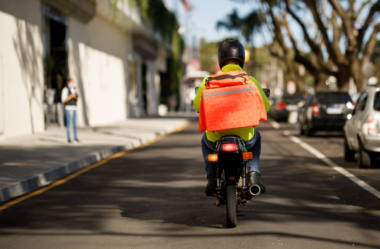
154 198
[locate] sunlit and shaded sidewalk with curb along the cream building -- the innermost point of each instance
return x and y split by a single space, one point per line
30 162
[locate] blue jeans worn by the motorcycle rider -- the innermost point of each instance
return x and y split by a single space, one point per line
253 145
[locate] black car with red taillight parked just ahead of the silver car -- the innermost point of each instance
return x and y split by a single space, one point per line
324 111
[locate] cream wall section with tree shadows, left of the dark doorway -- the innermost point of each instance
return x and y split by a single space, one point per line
21 68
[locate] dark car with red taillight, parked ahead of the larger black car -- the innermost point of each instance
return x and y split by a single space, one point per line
282 106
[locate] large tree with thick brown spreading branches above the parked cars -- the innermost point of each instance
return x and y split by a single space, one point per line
340 42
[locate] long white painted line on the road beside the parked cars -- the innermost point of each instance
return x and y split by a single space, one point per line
336 167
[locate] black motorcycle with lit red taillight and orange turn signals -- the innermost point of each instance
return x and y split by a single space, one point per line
231 158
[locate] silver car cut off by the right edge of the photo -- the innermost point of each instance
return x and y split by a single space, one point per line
362 130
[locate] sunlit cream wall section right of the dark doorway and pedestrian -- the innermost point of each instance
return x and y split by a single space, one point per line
98 53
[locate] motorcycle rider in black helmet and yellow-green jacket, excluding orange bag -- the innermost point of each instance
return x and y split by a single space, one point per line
231 57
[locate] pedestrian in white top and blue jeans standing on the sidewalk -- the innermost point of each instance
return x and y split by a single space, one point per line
69 99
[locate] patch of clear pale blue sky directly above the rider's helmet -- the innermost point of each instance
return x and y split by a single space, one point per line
206 13
